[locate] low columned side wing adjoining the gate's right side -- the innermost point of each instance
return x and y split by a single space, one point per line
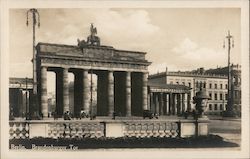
168 99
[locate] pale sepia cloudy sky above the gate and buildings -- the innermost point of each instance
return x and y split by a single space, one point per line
180 39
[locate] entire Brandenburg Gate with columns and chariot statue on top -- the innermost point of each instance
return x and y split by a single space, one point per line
121 77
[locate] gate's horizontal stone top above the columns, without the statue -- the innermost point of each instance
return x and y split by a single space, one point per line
90 57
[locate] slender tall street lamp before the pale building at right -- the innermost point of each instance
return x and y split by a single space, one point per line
229 107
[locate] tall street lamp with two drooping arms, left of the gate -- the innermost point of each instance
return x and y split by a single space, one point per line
36 21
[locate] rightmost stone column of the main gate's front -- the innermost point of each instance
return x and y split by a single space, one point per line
144 91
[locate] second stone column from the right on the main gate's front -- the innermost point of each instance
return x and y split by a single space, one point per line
128 93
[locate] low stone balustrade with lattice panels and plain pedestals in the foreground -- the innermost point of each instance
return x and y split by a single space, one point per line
112 128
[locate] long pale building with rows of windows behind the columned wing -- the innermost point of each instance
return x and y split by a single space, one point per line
215 81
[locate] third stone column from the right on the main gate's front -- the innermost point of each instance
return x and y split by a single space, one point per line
110 93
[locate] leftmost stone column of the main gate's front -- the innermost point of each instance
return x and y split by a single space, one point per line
44 98
